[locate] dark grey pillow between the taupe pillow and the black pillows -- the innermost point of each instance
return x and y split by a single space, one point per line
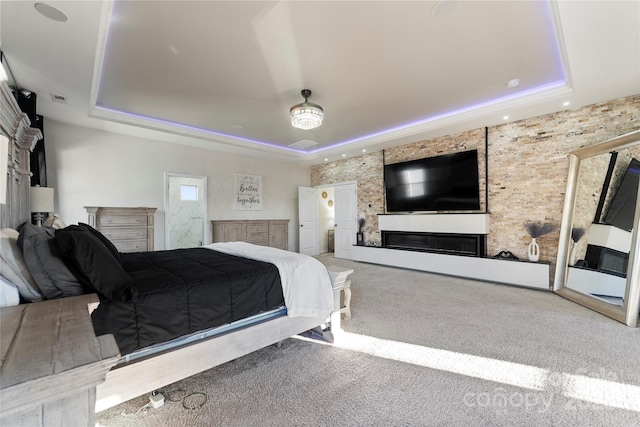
46 265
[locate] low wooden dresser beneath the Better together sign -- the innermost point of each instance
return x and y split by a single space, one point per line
265 232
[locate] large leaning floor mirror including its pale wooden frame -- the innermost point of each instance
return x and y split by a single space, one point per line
598 263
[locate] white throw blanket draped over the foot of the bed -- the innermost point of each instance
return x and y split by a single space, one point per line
306 284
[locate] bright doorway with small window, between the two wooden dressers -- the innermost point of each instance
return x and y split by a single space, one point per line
185 210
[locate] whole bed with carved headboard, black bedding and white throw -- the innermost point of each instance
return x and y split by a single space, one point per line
180 287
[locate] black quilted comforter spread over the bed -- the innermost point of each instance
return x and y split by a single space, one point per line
184 291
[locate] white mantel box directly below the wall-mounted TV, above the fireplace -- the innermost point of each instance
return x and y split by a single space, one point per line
473 223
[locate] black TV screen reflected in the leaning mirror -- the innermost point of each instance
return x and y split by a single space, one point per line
623 205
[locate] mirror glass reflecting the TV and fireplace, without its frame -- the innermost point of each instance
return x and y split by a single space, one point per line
603 218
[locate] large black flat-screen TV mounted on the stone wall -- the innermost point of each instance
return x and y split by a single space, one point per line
442 183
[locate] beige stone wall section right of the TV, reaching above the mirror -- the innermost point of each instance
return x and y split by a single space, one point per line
528 168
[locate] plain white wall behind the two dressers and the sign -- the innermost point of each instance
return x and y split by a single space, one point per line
90 167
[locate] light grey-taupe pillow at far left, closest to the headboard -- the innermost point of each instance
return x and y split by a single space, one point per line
13 268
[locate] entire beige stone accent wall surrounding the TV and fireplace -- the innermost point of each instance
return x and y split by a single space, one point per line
527 169
